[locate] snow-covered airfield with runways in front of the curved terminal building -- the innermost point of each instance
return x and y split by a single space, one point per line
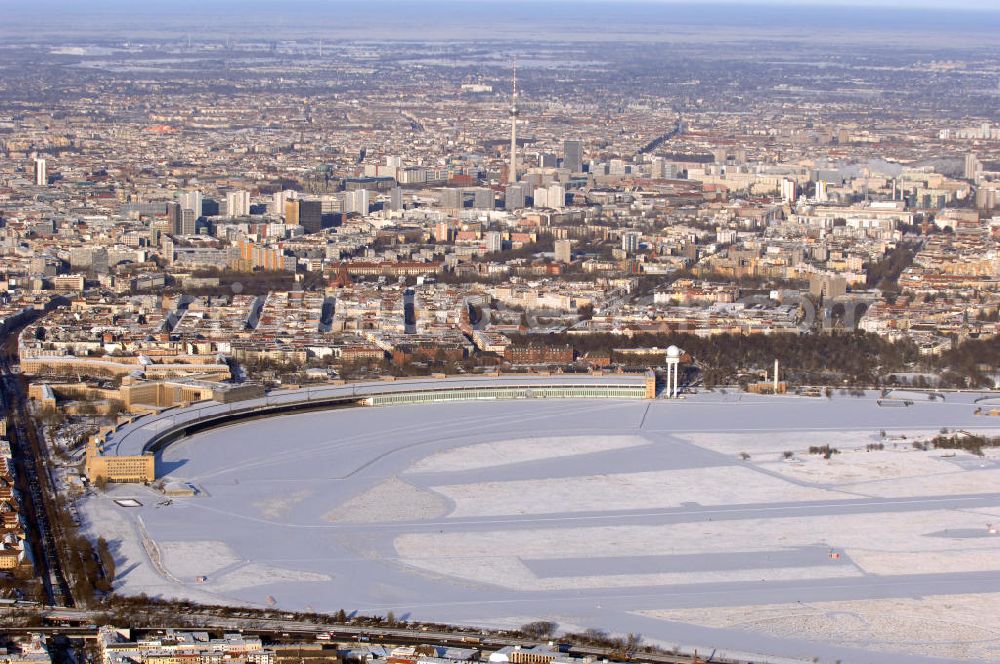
681 520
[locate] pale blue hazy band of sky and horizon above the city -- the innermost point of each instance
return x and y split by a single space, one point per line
913 23
